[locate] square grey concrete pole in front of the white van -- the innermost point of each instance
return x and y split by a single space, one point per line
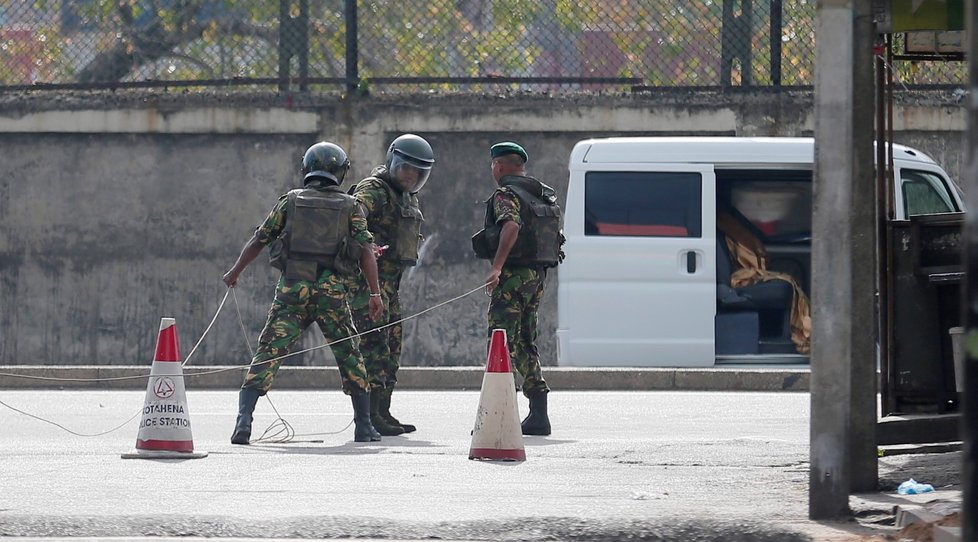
843 417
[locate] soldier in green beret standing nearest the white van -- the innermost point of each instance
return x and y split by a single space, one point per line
522 240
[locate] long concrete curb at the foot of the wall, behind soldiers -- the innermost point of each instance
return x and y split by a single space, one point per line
417 378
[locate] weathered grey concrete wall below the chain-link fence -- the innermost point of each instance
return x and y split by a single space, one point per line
116 210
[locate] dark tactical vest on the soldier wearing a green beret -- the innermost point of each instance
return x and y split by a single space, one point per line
539 240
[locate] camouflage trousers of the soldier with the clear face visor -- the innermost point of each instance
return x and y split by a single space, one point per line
381 349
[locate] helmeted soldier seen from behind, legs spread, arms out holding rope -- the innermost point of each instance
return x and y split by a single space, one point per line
319 238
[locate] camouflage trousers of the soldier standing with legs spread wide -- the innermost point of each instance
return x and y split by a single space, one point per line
297 304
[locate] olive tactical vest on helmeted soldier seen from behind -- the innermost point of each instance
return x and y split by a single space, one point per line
316 232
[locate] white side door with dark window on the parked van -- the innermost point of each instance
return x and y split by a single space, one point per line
639 280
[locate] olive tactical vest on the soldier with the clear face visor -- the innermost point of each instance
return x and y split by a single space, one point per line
402 230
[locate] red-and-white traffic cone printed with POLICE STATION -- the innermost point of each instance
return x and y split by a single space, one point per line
164 431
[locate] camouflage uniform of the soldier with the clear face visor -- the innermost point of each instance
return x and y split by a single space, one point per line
381 349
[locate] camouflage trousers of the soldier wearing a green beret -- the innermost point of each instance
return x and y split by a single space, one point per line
513 307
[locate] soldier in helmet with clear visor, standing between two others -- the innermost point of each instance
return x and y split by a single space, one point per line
390 201
